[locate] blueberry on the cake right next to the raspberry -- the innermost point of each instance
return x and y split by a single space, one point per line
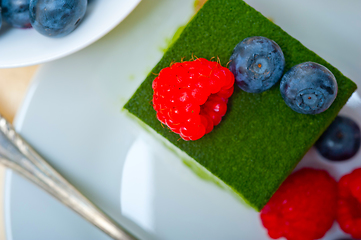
257 63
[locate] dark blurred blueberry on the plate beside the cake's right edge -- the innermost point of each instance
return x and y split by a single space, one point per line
340 141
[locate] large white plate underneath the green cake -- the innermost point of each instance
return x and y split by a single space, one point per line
72 116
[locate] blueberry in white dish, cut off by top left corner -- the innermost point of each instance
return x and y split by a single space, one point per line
16 13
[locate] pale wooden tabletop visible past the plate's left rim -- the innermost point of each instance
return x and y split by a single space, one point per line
13 85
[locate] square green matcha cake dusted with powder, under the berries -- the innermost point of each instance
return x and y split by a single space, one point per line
260 139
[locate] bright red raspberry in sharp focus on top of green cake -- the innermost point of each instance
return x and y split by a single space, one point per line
191 97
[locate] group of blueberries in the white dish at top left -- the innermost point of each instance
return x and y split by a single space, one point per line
52 18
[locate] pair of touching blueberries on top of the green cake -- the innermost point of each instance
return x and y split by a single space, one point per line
258 63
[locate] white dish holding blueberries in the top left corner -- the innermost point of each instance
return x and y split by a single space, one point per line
24 47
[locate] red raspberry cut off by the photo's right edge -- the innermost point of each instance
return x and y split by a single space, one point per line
349 203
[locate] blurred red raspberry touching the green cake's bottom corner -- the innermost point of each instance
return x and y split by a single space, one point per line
303 208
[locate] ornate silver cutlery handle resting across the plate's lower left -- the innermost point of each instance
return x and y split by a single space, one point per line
18 155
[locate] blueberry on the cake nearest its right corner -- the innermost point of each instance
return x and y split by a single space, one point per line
309 88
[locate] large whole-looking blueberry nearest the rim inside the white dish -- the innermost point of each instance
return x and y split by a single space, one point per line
56 18
